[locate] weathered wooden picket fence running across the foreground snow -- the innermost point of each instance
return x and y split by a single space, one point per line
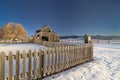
43 62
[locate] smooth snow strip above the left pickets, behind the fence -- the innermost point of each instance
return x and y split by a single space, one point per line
14 47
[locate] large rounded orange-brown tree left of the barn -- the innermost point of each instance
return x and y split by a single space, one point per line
14 31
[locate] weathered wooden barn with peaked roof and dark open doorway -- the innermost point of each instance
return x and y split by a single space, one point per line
47 34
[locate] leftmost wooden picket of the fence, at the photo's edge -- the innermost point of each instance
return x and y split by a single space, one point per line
2 66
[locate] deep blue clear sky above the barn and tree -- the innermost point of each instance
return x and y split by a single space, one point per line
66 17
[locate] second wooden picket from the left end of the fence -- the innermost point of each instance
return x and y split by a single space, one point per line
10 68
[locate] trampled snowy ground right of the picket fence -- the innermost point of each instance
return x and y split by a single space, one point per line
105 66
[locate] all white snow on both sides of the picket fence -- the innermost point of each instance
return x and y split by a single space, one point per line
105 66
